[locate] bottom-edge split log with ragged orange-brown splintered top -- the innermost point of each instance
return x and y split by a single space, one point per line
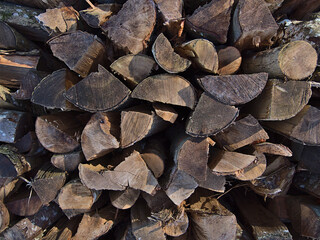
211 220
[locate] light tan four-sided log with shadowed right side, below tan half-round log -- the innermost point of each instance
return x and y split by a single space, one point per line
138 123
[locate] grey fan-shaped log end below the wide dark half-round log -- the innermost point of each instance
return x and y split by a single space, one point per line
210 117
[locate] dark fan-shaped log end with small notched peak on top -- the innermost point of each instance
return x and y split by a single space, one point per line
99 91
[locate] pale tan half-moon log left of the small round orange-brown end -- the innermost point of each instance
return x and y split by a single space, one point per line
202 53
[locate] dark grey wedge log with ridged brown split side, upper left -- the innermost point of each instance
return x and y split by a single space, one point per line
81 51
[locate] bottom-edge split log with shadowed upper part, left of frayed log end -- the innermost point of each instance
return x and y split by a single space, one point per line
142 226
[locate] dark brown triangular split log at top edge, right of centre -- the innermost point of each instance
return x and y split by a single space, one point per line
211 21
